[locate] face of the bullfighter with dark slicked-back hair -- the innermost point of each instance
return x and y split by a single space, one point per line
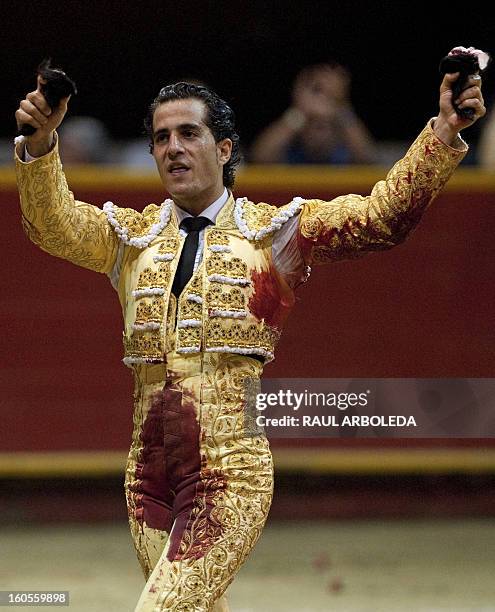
189 160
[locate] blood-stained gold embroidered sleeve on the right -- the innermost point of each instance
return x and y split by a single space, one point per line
351 225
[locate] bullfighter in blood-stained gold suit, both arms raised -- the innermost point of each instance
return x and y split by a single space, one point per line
206 282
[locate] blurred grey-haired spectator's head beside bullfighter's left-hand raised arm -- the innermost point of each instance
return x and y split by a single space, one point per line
85 140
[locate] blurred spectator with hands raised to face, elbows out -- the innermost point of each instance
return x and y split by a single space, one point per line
320 127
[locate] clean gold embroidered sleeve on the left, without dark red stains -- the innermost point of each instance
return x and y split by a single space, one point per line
59 224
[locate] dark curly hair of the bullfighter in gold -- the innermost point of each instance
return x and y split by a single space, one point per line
220 119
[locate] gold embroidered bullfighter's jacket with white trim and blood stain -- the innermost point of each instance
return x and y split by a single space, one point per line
236 301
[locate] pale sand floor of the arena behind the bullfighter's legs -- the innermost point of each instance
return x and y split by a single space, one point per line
365 566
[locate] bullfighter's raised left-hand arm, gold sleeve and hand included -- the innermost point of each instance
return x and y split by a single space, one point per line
51 217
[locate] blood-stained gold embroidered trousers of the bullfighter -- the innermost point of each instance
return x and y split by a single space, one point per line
199 482
